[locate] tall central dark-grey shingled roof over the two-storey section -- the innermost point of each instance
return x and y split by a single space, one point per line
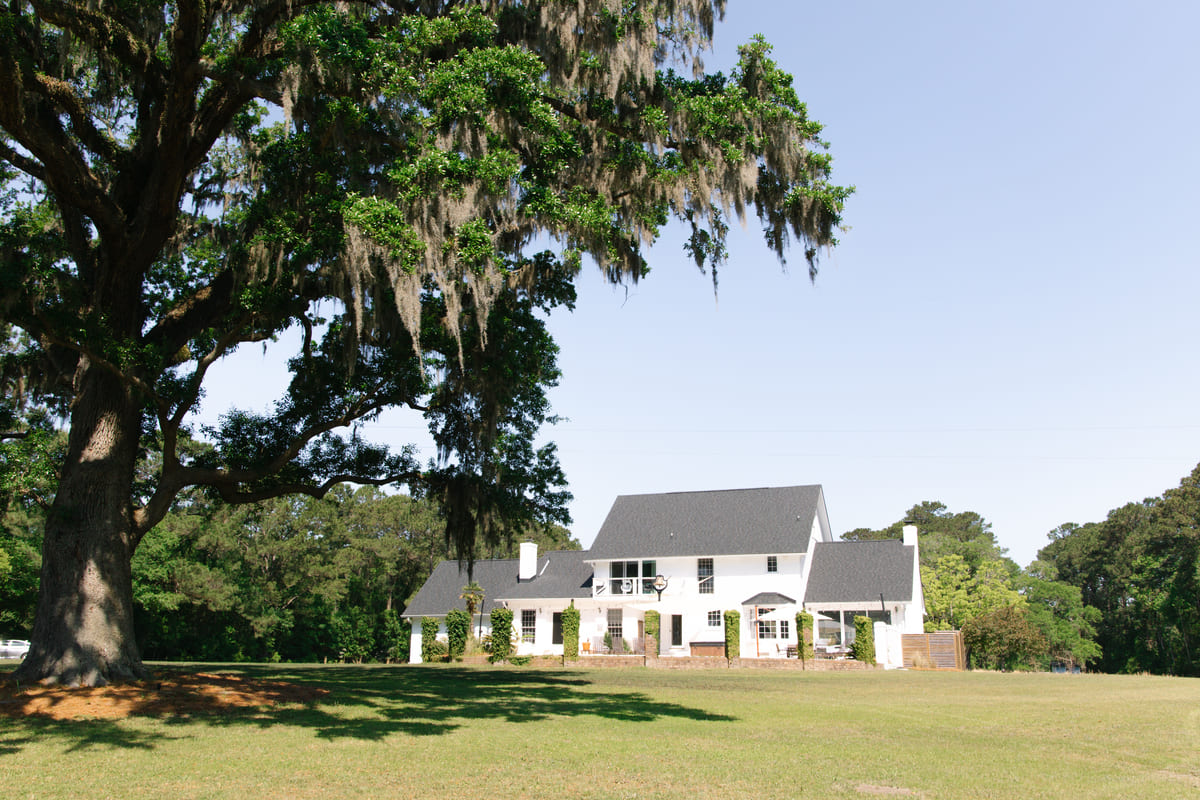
729 522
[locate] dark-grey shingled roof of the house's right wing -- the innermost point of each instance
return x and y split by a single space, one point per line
845 573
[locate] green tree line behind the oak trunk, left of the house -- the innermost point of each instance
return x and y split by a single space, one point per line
285 580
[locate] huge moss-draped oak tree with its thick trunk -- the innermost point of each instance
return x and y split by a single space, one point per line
375 178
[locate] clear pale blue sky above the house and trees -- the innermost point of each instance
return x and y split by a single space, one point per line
1010 324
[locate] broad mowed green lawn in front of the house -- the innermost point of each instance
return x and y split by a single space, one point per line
483 732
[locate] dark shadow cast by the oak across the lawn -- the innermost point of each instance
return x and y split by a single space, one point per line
374 703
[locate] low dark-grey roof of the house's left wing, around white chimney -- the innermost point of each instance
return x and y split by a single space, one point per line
561 574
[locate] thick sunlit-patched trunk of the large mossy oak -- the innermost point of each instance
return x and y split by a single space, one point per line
83 631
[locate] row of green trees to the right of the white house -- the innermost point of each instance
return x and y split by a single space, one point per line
1119 597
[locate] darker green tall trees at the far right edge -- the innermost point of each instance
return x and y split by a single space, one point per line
1141 569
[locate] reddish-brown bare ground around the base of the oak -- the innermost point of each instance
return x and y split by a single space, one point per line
170 695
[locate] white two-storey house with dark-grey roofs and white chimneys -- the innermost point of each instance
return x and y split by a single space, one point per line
766 554
